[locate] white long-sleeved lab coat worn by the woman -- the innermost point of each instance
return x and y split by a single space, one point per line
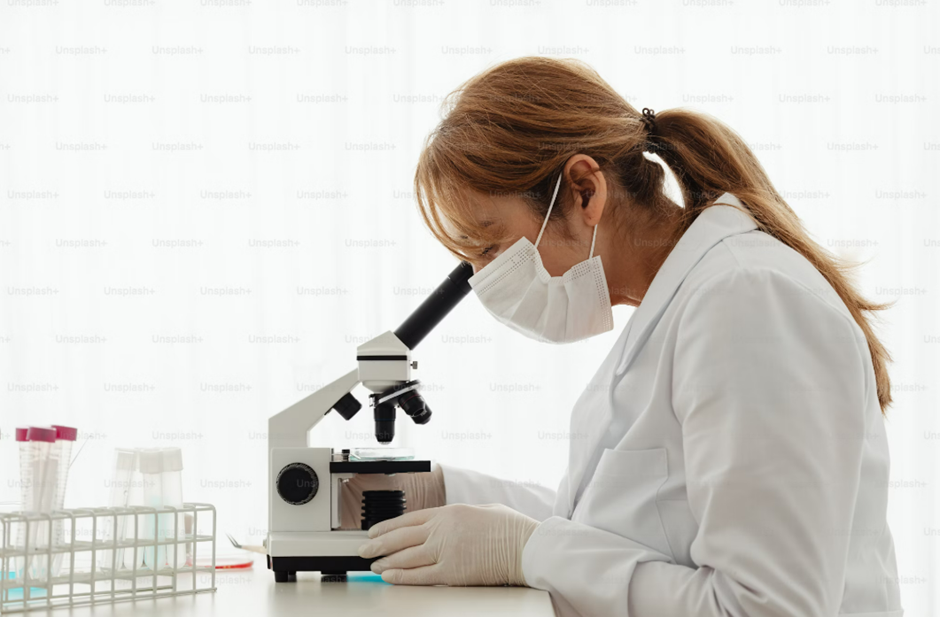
729 457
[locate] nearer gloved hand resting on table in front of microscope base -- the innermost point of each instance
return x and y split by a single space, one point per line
451 545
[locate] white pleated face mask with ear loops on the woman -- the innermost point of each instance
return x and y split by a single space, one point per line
518 291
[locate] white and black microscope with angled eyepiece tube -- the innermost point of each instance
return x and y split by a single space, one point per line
304 506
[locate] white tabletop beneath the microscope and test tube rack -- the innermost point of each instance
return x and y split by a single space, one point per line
253 592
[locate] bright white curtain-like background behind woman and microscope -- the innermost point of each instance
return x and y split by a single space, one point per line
205 207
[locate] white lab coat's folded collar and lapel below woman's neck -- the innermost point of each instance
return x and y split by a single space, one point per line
726 217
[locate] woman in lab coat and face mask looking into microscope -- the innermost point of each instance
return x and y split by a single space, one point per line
733 459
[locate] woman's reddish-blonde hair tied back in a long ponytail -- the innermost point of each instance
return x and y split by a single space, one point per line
510 130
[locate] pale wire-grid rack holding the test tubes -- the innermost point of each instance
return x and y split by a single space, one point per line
83 553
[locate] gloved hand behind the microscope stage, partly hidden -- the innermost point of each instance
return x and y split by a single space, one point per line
422 490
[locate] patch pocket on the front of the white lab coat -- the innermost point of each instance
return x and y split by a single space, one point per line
621 497
